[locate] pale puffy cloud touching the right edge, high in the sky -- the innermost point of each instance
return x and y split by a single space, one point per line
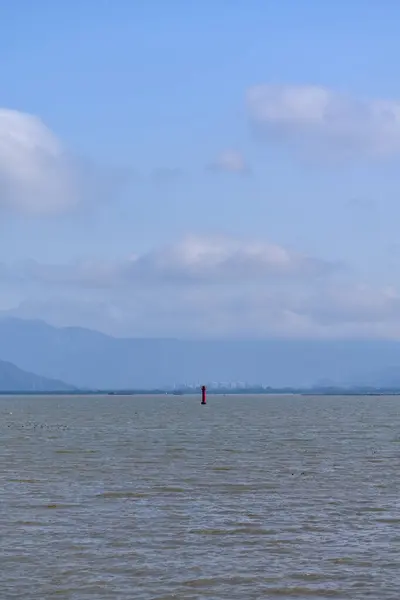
315 114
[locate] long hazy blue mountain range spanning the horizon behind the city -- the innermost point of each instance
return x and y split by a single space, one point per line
87 358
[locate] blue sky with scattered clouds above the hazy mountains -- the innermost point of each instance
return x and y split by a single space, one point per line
213 169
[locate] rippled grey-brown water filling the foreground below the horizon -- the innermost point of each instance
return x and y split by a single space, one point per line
161 498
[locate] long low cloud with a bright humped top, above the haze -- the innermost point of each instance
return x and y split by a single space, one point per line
193 260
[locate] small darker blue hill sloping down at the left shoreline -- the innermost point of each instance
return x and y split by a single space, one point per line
13 379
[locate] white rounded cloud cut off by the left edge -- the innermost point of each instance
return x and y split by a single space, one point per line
38 176
